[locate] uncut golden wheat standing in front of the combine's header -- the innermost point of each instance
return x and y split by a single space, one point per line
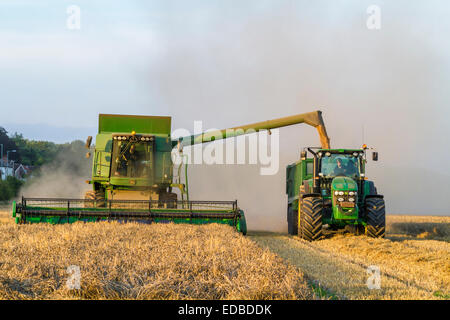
135 261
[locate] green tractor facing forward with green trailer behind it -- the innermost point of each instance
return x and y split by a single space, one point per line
330 191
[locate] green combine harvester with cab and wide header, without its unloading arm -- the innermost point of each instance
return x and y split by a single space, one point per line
132 180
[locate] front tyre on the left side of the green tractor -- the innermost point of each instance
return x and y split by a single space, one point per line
310 228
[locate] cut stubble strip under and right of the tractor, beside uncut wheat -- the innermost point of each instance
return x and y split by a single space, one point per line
412 264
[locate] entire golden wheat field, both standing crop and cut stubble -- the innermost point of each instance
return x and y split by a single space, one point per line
136 261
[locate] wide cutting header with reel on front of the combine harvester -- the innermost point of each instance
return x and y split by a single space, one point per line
58 211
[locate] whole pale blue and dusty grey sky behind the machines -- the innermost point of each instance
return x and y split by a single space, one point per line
229 62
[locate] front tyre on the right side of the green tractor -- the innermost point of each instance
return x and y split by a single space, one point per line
376 218
